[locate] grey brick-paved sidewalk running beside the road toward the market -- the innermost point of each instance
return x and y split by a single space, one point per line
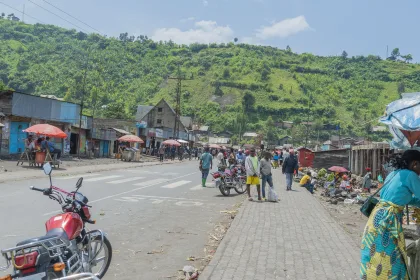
295 238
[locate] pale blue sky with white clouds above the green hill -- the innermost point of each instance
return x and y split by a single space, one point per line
322 27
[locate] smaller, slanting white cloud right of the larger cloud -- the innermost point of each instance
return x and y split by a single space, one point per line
283 28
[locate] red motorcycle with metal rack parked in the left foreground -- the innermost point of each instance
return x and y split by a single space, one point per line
68 249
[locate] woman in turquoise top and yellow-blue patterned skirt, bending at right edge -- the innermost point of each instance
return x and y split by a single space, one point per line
383 251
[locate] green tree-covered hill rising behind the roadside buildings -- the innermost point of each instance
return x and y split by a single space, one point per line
222 80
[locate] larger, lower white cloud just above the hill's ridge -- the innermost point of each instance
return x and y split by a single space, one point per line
204 32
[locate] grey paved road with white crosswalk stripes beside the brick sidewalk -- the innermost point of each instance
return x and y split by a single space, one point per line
152 209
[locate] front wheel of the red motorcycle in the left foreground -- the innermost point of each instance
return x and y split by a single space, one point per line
105 260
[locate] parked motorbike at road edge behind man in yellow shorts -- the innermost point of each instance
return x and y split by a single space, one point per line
229 178
